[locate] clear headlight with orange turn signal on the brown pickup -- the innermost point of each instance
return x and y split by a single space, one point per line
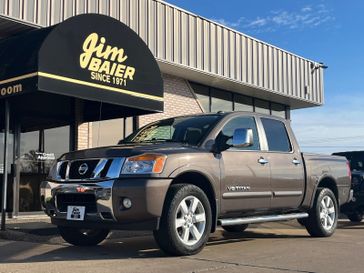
144 164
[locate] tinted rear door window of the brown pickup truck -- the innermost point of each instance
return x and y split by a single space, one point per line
277 136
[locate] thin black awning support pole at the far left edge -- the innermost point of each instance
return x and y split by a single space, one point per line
5 172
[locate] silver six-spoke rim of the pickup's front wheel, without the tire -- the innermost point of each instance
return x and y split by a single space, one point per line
190 220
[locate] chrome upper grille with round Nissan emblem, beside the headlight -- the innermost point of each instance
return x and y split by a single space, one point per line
89 169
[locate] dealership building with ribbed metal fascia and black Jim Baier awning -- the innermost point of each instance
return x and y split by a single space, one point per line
204 67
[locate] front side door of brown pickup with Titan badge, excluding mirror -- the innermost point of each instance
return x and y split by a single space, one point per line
245 178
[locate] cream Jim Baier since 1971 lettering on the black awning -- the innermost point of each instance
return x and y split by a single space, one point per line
105 62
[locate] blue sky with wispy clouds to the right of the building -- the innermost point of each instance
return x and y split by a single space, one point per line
331 32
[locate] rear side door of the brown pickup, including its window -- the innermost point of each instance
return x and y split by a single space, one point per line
286 166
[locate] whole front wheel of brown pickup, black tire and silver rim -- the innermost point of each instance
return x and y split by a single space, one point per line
180 232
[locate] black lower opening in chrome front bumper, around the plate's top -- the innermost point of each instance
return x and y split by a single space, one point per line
74 199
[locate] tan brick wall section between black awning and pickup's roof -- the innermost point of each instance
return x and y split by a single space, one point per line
179 100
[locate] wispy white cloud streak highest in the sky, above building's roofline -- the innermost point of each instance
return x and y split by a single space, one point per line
306 17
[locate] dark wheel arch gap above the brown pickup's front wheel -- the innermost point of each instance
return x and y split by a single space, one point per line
203 182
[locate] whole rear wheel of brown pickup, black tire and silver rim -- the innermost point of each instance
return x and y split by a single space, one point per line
322 220
